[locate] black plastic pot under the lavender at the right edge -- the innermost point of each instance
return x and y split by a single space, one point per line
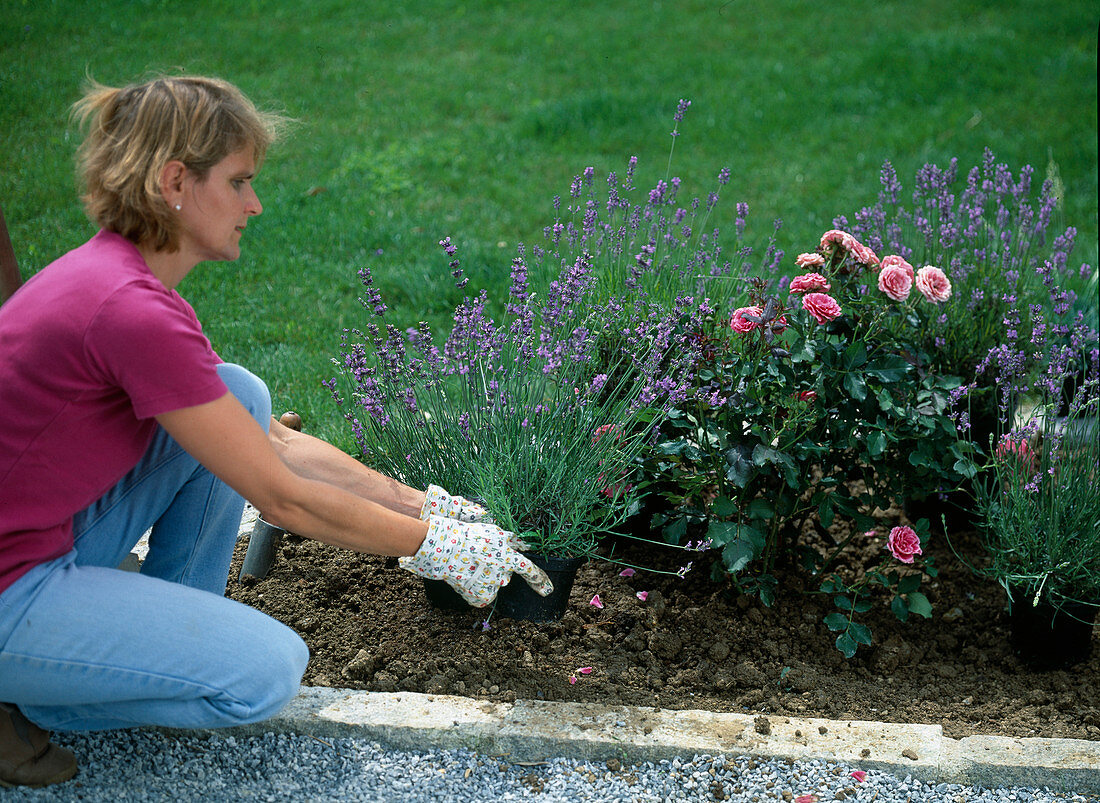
1048 637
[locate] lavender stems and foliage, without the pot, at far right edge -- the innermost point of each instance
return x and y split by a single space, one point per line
1038 490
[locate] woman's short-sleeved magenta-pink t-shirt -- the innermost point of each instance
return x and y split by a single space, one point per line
92 348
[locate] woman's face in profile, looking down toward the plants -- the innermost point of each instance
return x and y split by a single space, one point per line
215 211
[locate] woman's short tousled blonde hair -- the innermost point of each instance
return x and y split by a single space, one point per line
134 133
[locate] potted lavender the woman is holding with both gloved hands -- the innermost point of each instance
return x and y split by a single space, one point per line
515 414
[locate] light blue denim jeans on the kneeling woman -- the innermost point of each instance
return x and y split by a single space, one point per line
87 647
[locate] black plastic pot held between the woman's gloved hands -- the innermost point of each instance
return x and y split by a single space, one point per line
518 600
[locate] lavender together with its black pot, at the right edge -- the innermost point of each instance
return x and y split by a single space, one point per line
1039 500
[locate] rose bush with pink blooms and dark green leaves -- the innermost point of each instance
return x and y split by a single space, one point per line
813 413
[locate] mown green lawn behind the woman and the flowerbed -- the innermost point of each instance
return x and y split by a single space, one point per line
436 118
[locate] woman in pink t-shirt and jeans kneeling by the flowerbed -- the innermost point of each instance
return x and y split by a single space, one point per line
124 420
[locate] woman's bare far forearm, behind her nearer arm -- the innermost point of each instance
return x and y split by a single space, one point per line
314 459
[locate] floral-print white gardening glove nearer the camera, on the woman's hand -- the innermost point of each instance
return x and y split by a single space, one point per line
476 559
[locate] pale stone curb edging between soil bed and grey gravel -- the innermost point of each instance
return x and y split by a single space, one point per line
537 731
